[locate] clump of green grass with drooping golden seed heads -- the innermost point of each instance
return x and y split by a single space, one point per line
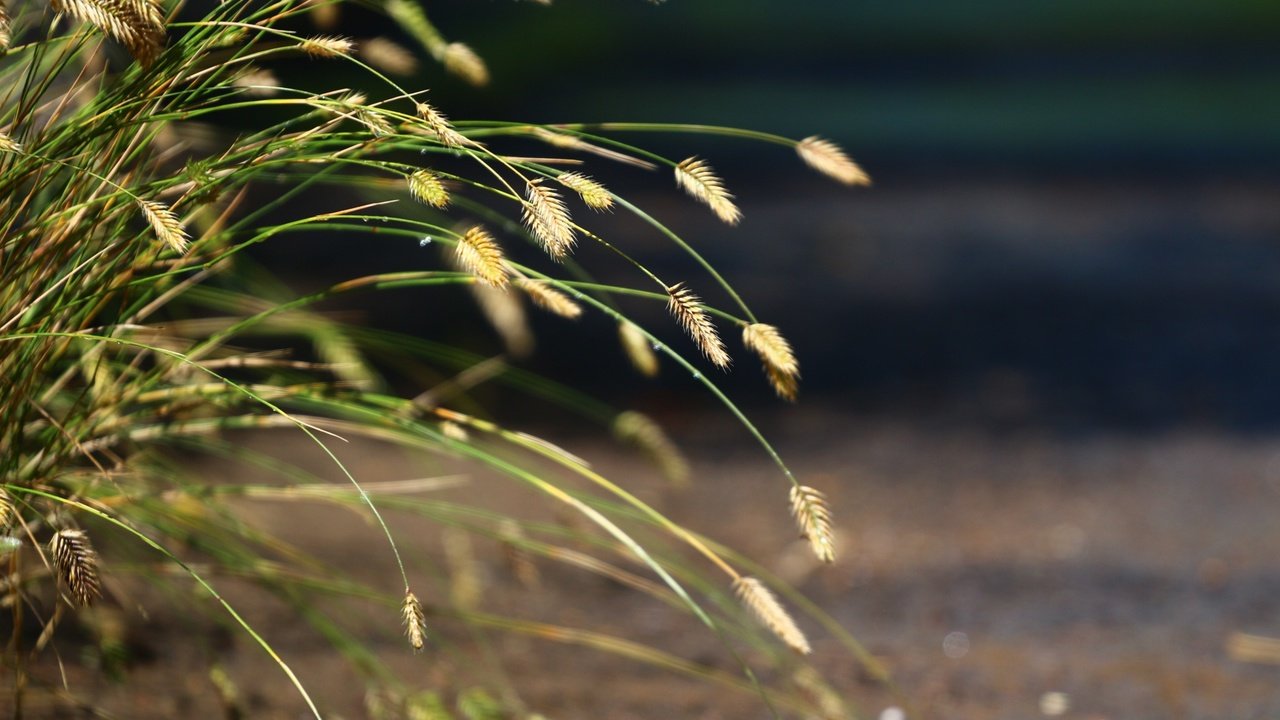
131 313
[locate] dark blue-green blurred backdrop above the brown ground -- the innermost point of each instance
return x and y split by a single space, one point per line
1075 220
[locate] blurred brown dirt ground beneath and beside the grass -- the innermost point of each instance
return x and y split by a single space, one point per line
989 572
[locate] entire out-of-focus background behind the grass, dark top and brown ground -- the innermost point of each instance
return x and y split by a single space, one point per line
1040 354
